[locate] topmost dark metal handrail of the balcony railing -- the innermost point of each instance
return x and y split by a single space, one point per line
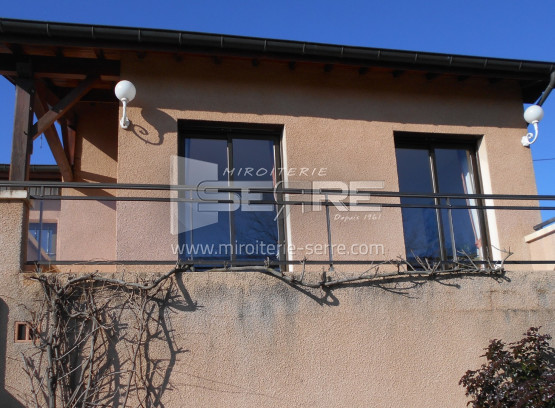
254 190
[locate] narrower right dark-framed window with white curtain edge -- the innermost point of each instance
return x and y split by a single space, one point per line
434 166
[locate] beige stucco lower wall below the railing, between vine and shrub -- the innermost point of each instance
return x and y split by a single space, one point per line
254 341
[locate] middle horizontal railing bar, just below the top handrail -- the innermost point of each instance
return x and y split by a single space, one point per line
294 203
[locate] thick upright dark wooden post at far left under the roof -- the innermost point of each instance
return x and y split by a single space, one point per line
22 143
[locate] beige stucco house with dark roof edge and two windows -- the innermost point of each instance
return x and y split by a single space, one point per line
310 145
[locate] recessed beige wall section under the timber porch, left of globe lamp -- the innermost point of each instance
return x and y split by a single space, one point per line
86 229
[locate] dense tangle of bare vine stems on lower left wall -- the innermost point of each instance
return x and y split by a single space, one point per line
78 326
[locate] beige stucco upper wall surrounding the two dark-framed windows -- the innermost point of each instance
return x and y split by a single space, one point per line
341 121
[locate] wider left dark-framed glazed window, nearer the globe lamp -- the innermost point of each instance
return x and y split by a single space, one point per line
229 155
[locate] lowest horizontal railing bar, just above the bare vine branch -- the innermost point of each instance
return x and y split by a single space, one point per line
204 262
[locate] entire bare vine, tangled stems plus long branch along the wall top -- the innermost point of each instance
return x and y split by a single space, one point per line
79 327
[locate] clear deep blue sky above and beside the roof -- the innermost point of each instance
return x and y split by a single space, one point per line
493 28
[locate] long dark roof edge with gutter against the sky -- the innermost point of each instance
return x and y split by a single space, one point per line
16 30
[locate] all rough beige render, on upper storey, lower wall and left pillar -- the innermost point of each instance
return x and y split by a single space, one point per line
252 340
